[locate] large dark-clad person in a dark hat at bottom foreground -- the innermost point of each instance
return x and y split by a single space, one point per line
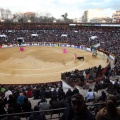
77 110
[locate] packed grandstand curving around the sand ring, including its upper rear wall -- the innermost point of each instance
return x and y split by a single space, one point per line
106 37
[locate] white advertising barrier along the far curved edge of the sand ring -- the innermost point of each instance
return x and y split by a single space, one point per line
100 52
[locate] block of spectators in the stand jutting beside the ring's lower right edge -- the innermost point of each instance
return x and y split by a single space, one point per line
80 77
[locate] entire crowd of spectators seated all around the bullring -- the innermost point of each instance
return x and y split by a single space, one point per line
14 98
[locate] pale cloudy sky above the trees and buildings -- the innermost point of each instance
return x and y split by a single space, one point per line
74 8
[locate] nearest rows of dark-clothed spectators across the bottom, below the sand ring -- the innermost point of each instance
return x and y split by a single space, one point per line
15 99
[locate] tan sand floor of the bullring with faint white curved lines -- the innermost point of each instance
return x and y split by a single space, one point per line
42 64
